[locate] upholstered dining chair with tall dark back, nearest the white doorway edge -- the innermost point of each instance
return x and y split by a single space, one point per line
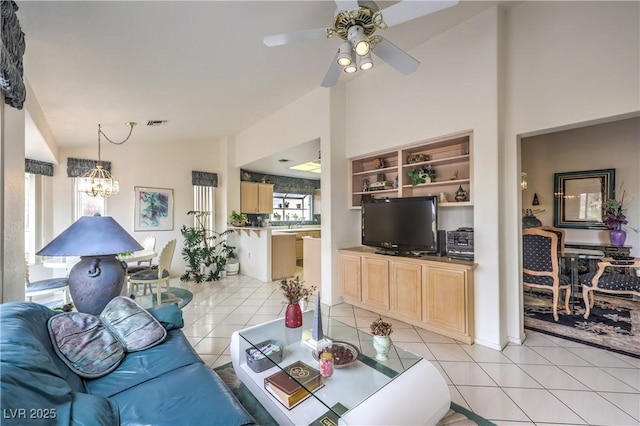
540 267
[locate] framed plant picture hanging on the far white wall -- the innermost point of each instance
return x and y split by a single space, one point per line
153 209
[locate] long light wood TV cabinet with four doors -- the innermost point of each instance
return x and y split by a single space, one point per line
431 292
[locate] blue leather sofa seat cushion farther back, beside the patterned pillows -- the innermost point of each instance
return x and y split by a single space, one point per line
138 367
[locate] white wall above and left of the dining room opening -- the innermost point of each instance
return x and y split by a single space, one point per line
566 63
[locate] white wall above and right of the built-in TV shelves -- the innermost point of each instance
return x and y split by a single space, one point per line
455 89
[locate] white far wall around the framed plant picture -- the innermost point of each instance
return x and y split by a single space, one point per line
148 165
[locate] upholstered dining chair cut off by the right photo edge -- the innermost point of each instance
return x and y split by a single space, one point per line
608 280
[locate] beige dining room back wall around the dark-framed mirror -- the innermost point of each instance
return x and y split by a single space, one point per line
614 145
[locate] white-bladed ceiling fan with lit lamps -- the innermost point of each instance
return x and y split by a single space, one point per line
355 22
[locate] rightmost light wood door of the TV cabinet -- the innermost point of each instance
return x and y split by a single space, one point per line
445 298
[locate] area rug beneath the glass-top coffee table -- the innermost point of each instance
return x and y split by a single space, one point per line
457 415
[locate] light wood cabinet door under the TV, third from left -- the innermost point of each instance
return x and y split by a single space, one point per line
405 283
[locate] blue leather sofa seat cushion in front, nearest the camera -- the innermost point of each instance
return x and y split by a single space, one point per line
192 395
